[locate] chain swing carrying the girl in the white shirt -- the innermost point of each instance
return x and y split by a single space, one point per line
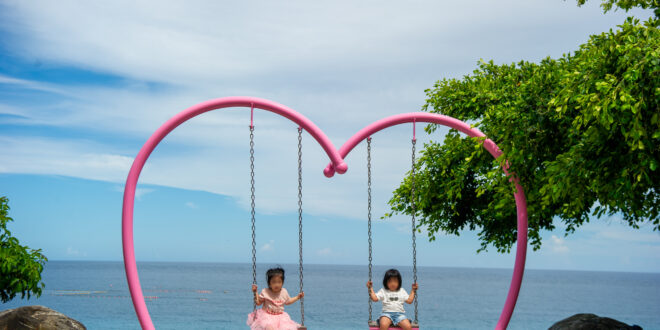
373 325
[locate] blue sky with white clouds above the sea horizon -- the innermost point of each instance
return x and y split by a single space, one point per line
84 84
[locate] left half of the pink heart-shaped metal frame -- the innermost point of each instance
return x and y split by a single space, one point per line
131 182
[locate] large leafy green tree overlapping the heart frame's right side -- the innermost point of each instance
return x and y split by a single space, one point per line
580 132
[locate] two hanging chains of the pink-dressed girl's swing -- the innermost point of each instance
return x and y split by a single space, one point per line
252 213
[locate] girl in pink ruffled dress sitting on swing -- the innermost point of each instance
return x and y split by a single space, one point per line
272 315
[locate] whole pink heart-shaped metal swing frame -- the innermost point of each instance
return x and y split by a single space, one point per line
337 165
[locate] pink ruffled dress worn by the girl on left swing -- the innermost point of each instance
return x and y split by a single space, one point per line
272 314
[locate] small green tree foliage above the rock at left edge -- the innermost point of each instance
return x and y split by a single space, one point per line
20 266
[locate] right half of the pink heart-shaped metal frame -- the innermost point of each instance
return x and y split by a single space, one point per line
491 147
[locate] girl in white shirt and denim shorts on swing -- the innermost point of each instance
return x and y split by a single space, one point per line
393 296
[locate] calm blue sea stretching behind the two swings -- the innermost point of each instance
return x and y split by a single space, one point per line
218 296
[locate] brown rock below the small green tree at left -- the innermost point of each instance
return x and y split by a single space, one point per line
37 317
